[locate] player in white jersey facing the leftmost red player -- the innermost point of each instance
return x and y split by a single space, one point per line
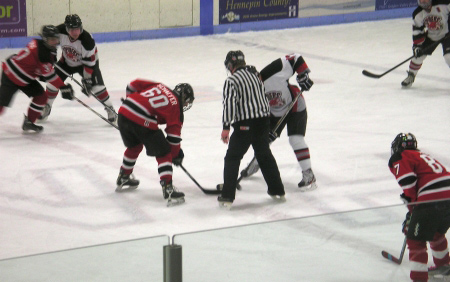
79 55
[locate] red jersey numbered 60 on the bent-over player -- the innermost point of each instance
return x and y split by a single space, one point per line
151 103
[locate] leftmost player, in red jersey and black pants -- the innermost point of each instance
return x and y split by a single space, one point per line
21 70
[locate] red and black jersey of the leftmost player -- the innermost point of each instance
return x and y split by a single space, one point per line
35 60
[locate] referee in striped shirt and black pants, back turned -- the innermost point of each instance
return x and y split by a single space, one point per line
246 108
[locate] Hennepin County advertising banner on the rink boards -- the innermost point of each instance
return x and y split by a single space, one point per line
235 11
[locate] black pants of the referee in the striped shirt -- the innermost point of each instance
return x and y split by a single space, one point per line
253 132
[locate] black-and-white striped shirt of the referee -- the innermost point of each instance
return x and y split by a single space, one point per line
243 97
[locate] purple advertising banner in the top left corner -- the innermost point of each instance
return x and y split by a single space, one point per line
13 18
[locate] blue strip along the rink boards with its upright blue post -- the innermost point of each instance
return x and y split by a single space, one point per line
207 27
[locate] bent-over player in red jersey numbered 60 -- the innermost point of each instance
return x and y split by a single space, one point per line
147 105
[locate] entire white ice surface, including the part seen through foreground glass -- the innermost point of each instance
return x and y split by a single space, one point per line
57 187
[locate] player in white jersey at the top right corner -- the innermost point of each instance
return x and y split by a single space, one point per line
430 24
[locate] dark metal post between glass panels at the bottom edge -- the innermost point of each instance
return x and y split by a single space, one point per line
172 263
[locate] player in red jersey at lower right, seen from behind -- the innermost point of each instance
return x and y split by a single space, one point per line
426 190
